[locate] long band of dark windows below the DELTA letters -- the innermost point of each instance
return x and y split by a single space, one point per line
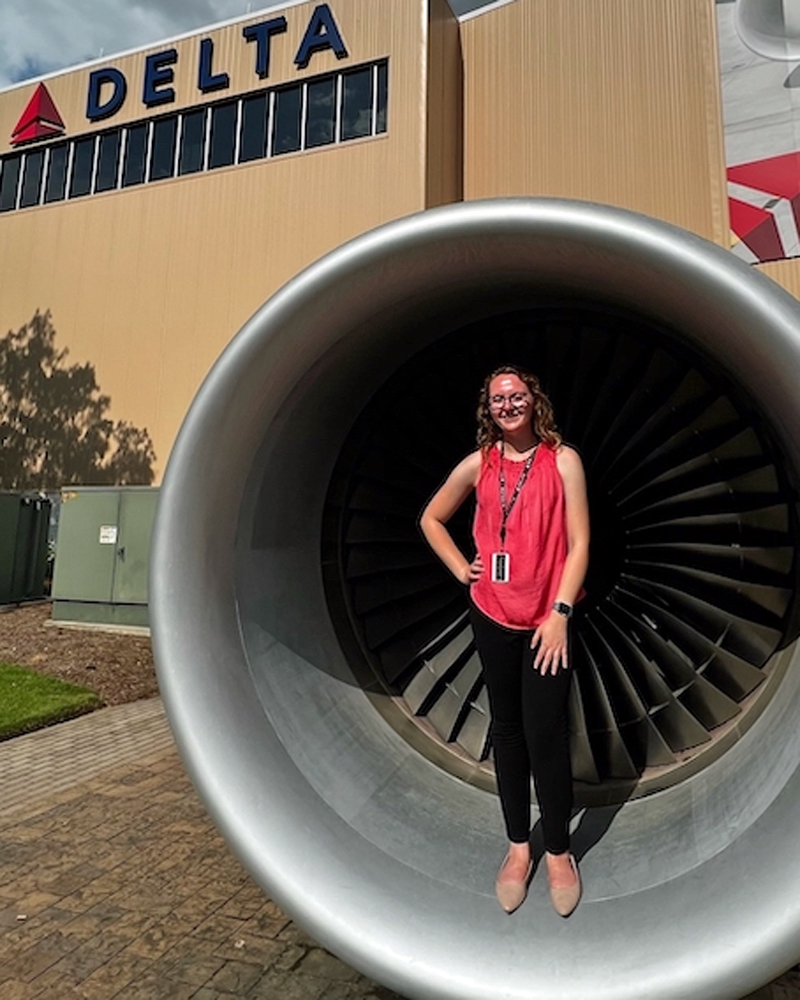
317 112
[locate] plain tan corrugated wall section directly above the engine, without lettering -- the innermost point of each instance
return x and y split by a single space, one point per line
615 101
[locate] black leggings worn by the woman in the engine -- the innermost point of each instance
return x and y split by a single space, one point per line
529 732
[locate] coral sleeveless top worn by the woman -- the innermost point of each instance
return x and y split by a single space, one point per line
536 539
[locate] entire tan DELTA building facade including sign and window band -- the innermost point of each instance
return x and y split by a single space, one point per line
151 202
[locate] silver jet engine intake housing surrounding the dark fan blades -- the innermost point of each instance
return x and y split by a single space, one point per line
383 854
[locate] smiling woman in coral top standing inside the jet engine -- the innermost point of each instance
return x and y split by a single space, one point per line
531 533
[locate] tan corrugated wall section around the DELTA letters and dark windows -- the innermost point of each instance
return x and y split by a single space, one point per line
150 283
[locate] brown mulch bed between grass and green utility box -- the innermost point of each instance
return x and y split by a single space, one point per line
118 668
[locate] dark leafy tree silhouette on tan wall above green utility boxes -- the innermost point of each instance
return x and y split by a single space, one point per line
53 425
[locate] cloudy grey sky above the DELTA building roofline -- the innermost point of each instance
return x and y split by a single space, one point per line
39 36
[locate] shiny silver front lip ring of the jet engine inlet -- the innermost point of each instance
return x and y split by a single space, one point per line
368 905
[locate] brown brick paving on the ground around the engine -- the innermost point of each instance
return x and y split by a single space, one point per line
115 886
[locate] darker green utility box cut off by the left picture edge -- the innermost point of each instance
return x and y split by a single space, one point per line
24 522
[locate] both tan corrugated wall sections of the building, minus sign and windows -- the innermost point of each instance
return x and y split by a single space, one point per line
610 100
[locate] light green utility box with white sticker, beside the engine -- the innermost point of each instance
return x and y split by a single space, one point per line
102 554
